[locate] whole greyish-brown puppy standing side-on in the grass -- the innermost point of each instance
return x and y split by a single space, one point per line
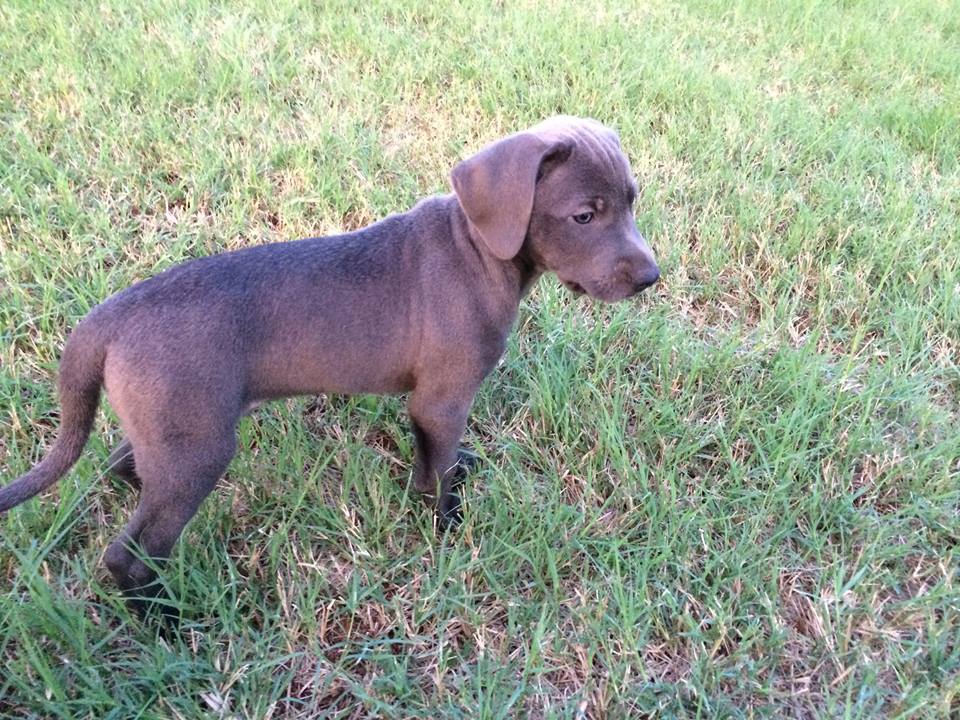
420 302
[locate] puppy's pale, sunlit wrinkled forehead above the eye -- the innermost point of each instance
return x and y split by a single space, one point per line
596 150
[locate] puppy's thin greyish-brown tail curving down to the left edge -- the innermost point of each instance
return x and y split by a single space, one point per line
81 374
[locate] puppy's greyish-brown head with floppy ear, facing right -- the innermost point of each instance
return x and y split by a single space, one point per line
562 193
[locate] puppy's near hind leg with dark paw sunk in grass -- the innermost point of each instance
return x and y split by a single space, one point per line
175 480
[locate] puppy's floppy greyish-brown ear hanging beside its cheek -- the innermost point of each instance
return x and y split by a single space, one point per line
495 187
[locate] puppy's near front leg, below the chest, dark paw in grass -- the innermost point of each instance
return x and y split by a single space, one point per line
439 418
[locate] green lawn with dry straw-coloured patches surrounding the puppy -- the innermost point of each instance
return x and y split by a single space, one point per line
735 497
